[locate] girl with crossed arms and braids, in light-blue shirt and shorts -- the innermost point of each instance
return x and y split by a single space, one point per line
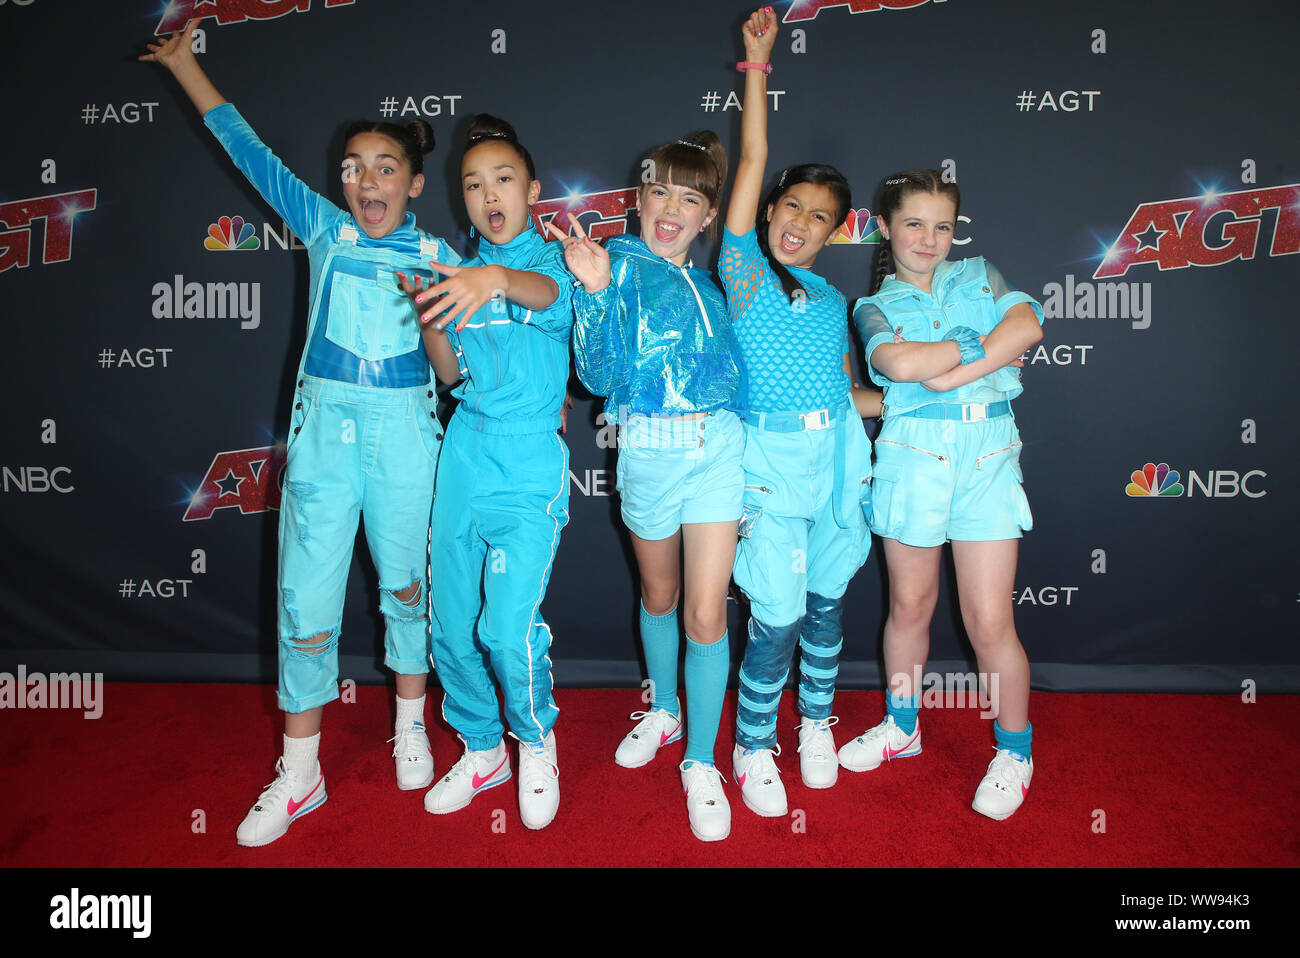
944 339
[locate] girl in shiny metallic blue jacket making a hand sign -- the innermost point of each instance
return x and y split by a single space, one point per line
653 335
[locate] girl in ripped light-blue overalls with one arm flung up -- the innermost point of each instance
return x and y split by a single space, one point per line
363 375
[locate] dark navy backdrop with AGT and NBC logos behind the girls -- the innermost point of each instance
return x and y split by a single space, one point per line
1136 167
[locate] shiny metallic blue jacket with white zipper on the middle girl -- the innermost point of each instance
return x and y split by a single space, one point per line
657 341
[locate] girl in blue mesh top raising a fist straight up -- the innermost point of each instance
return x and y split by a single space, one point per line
808 461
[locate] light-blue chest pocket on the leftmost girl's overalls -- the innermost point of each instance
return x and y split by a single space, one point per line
369 314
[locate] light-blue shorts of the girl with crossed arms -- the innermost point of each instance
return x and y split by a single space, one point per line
941 480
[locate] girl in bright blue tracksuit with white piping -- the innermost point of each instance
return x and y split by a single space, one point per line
502 482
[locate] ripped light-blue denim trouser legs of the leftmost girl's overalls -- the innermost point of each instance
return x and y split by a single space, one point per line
354 450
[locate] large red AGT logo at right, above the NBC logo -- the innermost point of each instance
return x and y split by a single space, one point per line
1206 231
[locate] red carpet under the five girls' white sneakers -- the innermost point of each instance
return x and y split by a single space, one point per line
1181 781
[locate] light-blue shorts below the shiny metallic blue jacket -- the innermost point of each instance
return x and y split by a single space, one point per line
679 471
